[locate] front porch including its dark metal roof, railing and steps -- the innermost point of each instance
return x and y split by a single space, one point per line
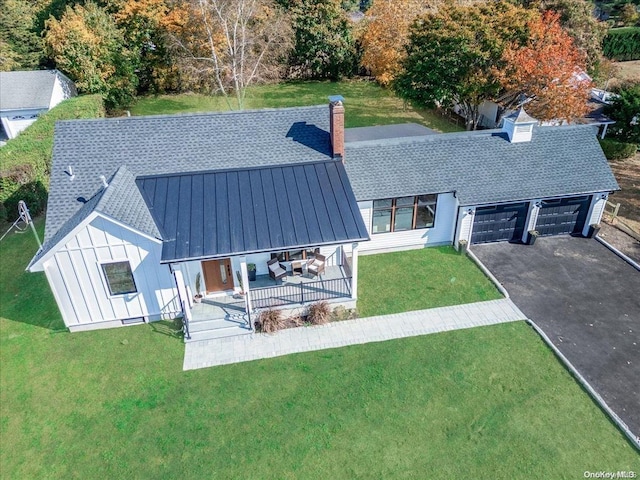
242 240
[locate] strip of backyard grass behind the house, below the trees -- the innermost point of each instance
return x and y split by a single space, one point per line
366 103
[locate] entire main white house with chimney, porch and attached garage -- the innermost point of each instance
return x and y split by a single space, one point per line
138 216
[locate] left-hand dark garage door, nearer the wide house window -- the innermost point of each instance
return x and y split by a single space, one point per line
499 223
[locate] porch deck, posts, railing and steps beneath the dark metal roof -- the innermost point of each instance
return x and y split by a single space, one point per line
232 310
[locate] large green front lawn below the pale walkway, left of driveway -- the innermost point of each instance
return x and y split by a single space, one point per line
489 402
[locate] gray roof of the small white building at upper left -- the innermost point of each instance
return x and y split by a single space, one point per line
29 89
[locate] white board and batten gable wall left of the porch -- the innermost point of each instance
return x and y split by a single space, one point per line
76 277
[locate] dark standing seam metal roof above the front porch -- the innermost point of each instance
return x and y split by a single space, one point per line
223 213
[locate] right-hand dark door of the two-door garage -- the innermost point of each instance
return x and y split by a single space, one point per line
562 216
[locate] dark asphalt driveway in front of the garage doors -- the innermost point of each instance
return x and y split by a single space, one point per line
587 300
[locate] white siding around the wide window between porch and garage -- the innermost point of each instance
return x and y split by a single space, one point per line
440 234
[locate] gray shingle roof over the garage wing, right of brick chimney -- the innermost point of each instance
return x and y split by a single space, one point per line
482 167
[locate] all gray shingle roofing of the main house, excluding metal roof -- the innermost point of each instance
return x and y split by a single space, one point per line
482 167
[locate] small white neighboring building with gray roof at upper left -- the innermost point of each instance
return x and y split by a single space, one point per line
26 94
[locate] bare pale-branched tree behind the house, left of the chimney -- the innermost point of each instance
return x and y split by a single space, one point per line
224 46
